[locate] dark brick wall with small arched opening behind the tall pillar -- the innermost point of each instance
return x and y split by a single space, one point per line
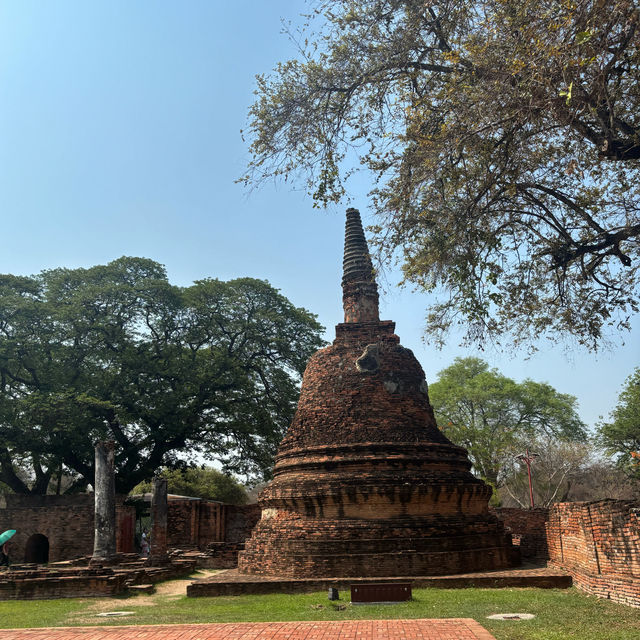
65 521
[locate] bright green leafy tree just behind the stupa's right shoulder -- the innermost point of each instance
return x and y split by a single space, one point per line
494 417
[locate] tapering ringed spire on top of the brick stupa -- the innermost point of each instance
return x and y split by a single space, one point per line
359 288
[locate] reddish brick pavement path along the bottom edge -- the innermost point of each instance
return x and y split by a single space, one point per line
443 629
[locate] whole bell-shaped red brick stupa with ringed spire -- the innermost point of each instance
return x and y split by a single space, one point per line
364 482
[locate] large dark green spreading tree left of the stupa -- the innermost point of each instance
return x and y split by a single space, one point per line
117 352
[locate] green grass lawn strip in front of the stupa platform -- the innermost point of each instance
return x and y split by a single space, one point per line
560 613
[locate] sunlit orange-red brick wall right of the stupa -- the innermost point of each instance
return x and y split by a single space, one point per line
598 543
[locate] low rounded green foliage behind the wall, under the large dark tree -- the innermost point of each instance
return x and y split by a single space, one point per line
200 482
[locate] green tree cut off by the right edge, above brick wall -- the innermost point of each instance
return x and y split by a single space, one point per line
621 436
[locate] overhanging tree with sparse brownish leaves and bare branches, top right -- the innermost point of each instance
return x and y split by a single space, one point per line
504 136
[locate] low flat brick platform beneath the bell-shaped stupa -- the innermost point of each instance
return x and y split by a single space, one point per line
233 583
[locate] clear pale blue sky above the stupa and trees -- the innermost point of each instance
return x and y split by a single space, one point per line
120 135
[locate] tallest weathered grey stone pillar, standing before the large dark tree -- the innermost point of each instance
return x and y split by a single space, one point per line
104 486
